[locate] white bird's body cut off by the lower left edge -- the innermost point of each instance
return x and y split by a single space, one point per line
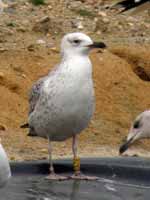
5 172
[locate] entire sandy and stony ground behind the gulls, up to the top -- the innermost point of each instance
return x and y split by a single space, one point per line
29 48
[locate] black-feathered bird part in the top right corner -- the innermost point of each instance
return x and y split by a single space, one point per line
139 5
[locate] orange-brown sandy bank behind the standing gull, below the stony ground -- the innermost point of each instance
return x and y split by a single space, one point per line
117 89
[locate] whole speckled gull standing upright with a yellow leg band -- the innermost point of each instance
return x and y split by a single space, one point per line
62 103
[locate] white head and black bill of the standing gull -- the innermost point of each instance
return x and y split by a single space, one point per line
78 44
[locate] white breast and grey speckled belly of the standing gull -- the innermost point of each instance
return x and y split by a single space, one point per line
67 103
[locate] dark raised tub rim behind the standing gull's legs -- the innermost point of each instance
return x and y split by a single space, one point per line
121 167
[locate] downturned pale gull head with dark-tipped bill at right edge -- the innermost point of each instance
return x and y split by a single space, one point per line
139 129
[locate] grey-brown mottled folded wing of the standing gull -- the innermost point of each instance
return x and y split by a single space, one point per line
35 94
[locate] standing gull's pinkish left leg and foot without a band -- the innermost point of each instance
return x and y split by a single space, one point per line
52 175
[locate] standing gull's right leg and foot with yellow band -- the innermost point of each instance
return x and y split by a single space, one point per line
76 164
